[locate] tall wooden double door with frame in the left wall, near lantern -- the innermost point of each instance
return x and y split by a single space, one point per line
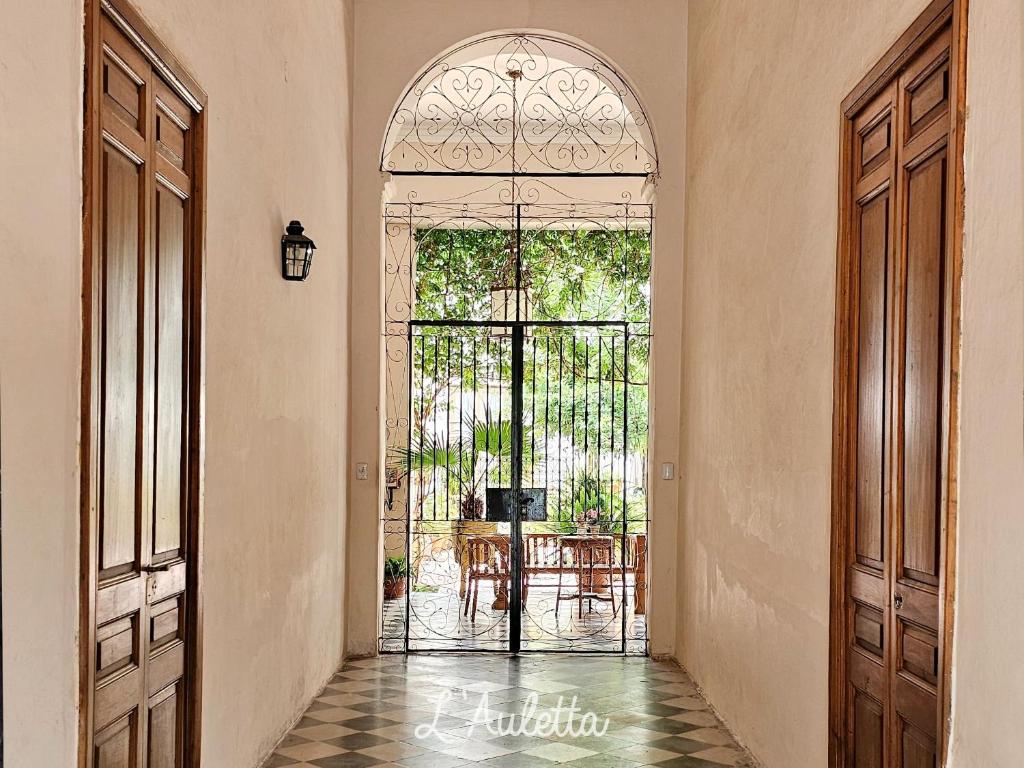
141 388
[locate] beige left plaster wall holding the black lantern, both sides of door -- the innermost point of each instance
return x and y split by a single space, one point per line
278 77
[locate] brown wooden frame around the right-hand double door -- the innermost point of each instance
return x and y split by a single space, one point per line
938 14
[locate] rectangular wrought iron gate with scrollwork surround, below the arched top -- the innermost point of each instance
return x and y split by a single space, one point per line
518 428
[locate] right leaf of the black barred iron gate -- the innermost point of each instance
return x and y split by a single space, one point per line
577 594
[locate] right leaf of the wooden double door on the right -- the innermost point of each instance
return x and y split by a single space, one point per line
923 333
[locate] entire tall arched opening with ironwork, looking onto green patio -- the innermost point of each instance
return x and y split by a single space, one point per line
518 234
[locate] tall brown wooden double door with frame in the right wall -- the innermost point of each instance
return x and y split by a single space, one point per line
894 421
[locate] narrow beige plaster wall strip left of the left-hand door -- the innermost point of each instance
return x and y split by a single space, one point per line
40 353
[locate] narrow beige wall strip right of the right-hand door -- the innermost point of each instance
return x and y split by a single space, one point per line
989 679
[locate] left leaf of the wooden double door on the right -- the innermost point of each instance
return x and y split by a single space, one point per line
870 545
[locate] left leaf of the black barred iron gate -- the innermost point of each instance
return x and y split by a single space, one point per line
460 456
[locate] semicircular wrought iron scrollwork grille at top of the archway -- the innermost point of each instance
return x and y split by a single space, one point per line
520 104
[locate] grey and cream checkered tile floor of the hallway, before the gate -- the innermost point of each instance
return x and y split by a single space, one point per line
370 712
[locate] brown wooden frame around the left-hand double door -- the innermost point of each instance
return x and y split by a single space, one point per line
124 17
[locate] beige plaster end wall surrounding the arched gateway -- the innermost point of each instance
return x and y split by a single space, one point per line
396 39
